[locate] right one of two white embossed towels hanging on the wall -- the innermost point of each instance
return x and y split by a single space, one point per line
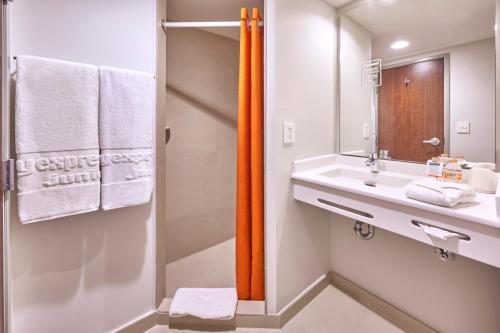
126 137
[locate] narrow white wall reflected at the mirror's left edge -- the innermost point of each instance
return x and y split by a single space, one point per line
355 100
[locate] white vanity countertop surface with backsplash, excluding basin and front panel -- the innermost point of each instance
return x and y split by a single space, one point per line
482 210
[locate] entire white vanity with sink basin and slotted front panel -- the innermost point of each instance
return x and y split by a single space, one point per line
336 184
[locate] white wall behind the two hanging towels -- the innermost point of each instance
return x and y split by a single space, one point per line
93 272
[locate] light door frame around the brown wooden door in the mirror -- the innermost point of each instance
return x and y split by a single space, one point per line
422 58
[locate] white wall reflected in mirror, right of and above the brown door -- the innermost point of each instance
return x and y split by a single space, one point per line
472 97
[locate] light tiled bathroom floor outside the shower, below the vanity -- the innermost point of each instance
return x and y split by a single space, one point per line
330 312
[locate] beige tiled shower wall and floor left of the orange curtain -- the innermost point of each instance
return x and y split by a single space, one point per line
202 97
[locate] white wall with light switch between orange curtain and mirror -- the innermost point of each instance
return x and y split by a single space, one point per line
301 37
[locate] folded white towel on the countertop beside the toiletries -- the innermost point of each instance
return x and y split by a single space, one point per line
440 193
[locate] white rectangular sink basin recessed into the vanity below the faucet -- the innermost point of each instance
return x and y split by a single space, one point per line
361 177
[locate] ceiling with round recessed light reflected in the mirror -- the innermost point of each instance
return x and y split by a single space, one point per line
427 24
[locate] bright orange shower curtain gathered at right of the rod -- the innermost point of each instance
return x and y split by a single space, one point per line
250 164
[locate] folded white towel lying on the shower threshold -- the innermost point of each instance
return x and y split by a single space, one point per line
205 303
